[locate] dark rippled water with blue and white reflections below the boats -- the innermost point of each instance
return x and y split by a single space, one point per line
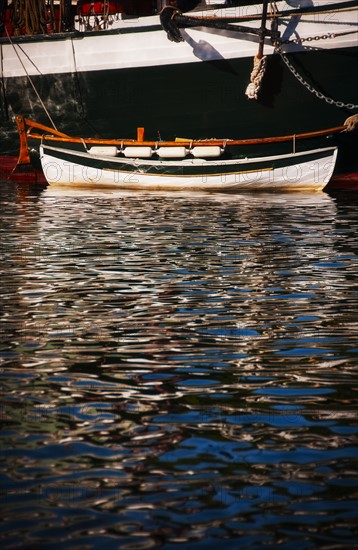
178 371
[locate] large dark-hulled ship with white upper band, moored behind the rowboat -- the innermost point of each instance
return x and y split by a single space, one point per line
238 69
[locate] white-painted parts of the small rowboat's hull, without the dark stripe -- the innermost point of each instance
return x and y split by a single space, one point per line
311 175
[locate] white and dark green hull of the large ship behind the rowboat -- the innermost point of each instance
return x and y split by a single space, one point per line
104 83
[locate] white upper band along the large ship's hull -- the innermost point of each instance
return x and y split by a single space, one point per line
132 49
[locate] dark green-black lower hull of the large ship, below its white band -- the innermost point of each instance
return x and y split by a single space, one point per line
197 100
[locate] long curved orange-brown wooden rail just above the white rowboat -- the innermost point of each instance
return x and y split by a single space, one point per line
51 135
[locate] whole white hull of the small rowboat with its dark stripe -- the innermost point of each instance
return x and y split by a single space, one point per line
309 170
